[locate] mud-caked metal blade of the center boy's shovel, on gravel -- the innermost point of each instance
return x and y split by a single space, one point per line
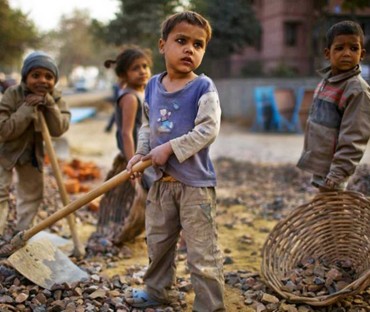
45 265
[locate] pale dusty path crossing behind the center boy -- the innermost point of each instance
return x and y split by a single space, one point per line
87 139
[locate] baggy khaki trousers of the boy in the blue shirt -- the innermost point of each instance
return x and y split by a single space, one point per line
172 207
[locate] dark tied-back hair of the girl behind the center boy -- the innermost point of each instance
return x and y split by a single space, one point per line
128 55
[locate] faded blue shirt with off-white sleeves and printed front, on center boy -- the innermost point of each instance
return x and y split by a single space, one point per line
190 120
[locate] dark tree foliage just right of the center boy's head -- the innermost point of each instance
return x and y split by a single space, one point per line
234 25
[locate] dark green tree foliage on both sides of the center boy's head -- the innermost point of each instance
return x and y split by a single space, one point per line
234 25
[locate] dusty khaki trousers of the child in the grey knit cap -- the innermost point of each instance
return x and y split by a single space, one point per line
29 192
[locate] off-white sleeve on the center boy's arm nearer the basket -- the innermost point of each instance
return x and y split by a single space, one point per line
207 127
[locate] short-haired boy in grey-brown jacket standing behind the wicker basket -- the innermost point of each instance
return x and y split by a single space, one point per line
338 126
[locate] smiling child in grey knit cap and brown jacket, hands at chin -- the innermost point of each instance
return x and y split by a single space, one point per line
21 141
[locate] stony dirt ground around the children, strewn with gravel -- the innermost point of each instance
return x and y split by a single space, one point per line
258 184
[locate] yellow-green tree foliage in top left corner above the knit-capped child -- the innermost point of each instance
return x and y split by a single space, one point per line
17 34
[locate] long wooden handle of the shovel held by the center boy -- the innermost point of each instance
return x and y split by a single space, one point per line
86 198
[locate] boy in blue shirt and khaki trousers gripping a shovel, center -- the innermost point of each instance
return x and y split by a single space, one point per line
181 119
